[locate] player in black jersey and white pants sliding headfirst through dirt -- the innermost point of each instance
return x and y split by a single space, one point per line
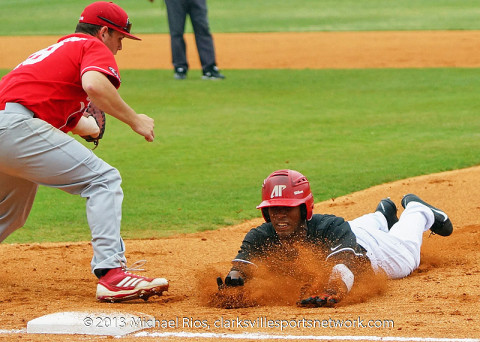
378 240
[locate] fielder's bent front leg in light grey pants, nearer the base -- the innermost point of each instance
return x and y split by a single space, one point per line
34 150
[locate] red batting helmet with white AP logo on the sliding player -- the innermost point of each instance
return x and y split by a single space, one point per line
286 188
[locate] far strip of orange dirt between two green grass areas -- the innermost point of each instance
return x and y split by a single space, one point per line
315 50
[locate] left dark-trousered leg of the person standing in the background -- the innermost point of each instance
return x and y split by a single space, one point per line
177 13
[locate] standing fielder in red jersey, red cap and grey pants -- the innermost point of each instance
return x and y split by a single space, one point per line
41 100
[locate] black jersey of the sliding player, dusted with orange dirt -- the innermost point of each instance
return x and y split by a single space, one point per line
330 234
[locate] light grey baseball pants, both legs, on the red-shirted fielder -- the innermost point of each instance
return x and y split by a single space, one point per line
32 153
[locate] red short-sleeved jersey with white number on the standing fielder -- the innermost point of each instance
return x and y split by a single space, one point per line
49 81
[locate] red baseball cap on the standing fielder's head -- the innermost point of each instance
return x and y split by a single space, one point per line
108 14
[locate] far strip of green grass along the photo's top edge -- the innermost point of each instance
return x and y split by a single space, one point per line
57 17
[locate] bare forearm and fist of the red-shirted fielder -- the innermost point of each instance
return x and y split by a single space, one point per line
106 97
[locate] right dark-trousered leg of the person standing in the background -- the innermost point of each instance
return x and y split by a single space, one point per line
203 37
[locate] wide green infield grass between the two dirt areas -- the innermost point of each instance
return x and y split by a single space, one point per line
346 130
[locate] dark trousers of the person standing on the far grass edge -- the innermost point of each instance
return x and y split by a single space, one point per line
177 11
